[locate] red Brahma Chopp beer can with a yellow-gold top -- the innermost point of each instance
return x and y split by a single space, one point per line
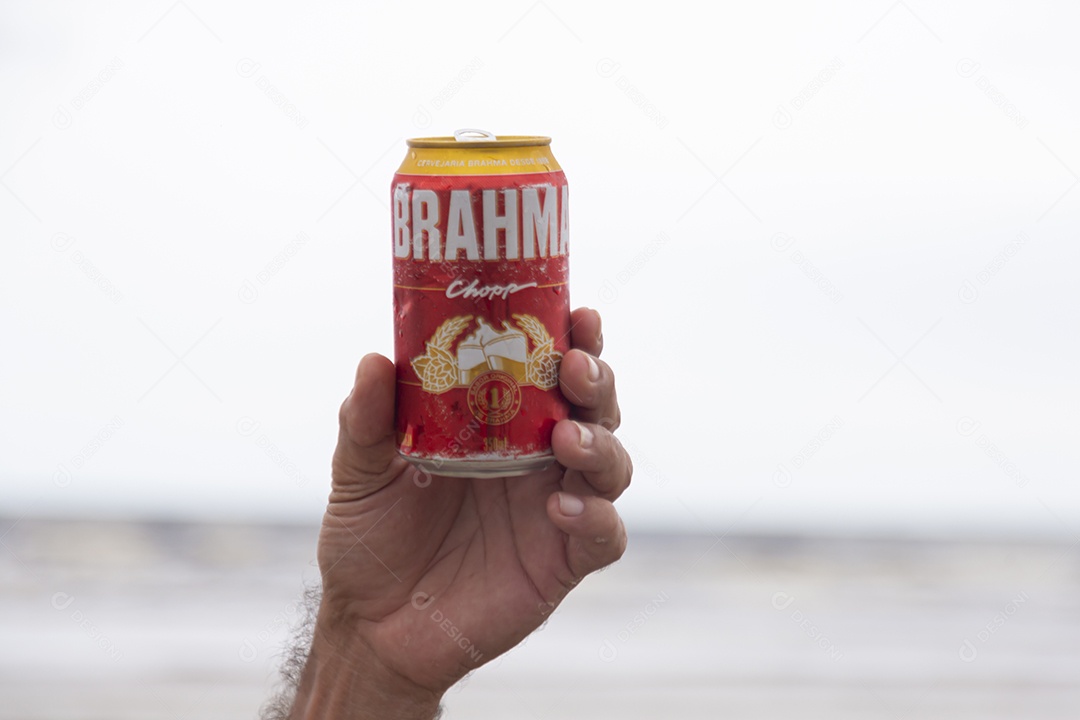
482 311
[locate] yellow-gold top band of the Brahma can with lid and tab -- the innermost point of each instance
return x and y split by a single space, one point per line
479 153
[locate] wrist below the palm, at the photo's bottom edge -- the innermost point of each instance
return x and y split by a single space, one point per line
344 678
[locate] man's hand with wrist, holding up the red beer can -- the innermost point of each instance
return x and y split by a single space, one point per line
427 578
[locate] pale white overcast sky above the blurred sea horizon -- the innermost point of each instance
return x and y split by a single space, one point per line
834 247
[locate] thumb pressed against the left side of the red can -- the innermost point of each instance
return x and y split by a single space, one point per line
367 451
